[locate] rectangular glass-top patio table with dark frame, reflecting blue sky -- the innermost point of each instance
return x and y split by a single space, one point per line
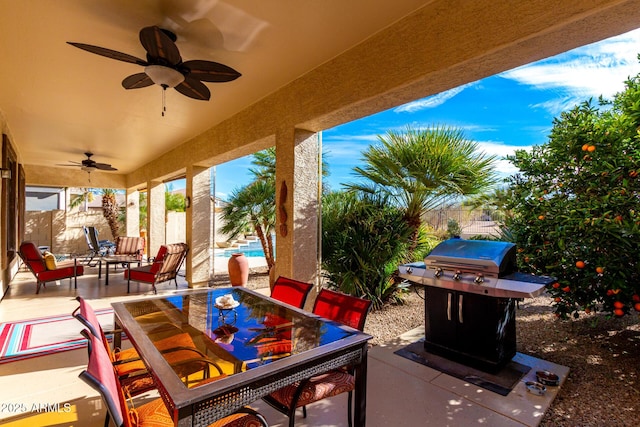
258 344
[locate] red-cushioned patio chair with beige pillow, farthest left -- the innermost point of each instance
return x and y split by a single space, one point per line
49 270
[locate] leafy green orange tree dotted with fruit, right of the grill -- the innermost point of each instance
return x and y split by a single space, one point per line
575 207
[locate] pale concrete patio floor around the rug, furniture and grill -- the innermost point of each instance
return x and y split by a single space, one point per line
400 392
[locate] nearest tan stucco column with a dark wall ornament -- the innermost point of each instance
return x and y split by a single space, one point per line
297 164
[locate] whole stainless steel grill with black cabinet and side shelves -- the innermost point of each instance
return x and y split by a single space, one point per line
470 292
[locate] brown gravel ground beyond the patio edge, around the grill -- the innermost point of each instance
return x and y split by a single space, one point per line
603 354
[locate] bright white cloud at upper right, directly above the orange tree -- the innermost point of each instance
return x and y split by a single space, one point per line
588 71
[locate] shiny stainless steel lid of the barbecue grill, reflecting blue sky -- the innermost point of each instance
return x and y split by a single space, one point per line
474 256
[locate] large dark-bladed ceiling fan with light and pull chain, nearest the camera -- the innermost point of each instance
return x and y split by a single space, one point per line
164 65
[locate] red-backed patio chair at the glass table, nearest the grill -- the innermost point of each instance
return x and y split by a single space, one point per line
348 310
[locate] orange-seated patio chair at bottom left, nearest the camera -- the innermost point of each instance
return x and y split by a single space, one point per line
101 377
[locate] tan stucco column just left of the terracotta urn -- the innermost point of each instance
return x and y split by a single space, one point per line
198 226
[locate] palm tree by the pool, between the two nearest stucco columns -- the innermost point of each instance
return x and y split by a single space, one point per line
253 207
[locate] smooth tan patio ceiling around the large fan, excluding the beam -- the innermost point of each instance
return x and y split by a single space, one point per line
60 101
